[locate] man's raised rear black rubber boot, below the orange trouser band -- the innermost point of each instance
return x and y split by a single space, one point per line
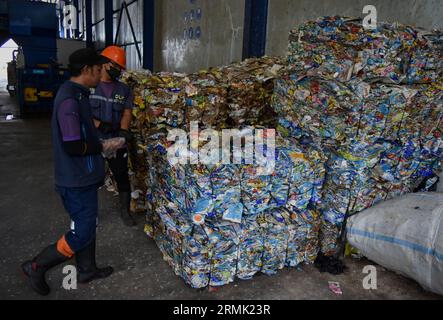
36 269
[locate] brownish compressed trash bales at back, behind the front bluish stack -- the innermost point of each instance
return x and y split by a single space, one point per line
222 97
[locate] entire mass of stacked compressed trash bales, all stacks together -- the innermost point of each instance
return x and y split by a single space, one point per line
358 115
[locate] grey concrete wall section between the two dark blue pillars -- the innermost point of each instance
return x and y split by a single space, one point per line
221 39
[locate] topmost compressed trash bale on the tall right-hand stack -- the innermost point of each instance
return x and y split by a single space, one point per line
343 49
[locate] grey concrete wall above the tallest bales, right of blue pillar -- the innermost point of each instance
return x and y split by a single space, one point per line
286 14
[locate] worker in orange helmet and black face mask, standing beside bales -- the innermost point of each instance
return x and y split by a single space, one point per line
112 103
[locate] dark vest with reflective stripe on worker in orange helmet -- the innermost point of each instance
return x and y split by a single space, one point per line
110 109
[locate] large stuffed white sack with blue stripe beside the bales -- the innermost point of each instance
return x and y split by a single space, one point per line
404 235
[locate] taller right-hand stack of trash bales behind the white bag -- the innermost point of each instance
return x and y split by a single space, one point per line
372 100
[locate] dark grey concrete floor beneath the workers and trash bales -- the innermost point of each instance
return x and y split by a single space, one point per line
32 217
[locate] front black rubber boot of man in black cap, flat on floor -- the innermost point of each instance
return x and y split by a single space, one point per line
87 267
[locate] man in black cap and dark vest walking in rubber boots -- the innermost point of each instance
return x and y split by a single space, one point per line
79 172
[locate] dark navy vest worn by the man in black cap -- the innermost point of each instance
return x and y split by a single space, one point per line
74 172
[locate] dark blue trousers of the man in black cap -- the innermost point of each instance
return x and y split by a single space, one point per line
82 207
